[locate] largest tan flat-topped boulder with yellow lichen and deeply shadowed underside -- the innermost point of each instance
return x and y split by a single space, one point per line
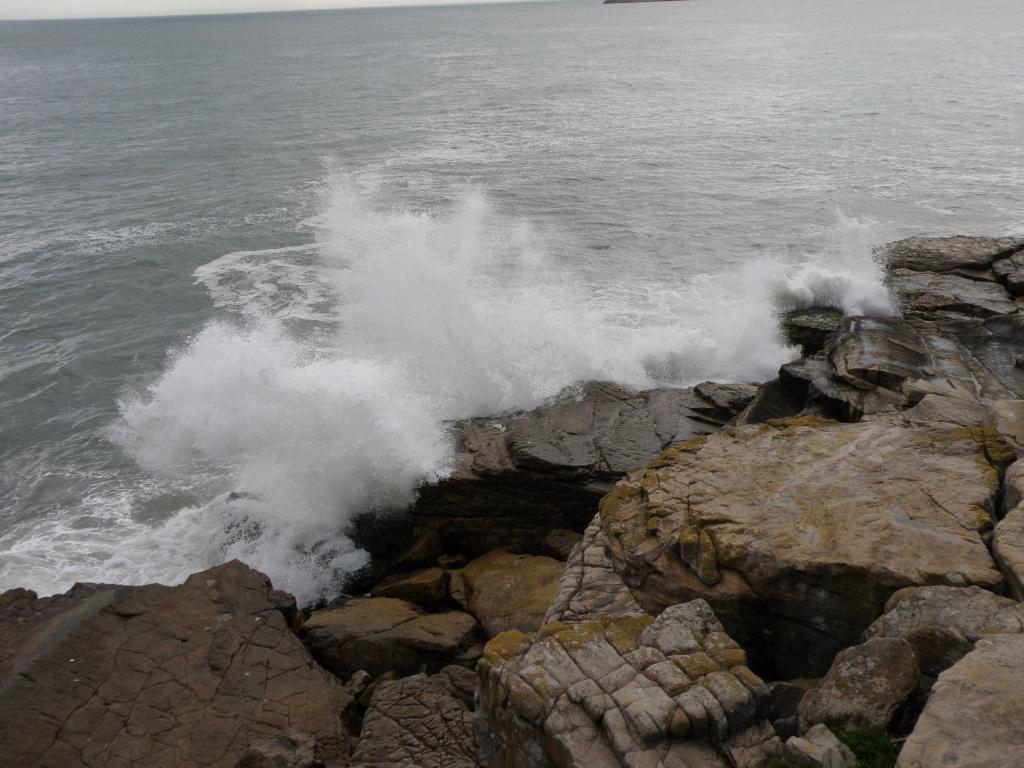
798 532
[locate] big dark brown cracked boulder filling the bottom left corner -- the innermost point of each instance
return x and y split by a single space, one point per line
158 676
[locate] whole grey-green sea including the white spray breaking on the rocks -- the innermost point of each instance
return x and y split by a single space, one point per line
279 254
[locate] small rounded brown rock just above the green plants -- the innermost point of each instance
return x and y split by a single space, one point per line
865 689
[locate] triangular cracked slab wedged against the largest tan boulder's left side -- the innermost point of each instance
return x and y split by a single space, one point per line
589 588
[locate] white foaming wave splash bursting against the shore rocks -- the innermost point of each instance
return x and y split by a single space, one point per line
331 398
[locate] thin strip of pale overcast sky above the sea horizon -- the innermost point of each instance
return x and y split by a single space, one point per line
94 9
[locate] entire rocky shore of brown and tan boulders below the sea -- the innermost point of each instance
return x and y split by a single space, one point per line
823 571
